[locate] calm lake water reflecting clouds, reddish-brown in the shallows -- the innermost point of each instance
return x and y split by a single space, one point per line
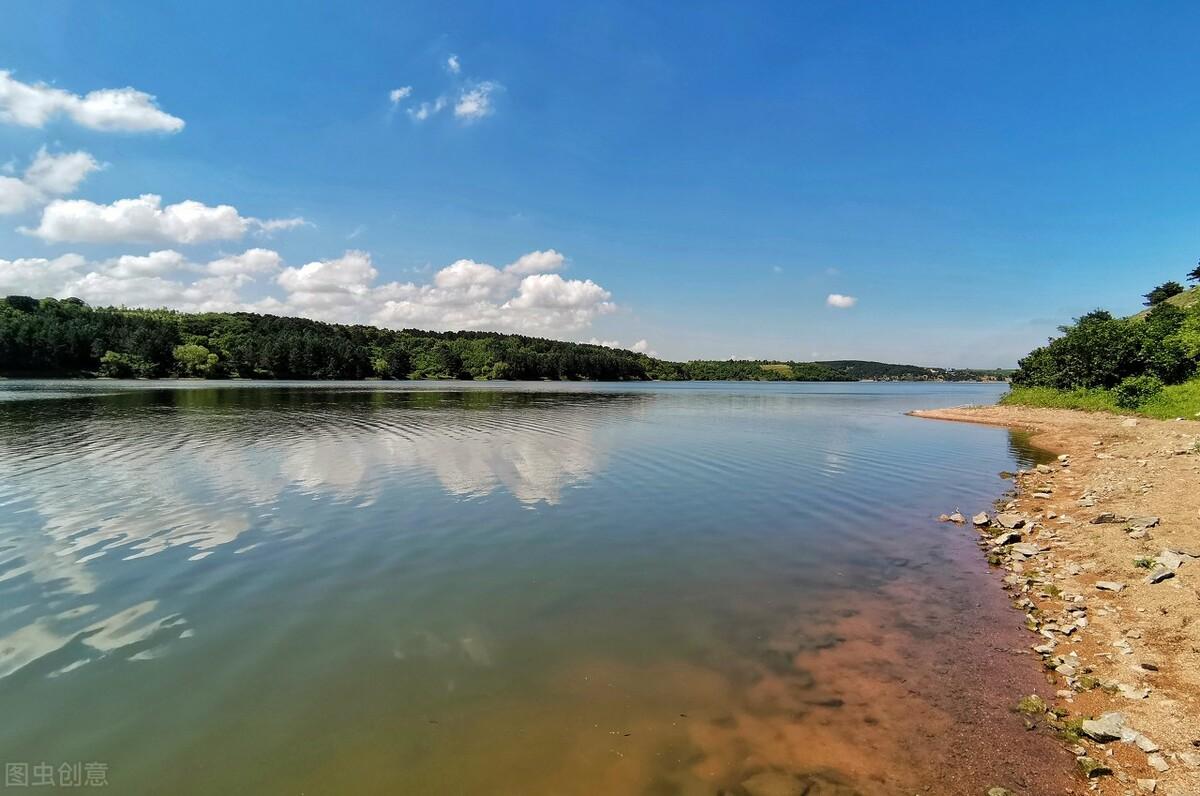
497 589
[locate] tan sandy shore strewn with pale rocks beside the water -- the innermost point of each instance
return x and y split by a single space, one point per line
1103 554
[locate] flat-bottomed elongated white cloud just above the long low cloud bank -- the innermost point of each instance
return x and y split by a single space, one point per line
145 220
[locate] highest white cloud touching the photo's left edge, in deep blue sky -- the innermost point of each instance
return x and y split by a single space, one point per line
109 110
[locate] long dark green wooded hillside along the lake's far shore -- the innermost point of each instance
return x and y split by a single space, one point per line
68 338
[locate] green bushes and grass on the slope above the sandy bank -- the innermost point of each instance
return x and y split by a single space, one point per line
1148 362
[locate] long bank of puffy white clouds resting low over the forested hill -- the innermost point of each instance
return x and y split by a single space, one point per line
465 295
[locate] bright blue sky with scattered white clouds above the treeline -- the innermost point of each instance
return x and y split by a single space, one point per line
973 175
